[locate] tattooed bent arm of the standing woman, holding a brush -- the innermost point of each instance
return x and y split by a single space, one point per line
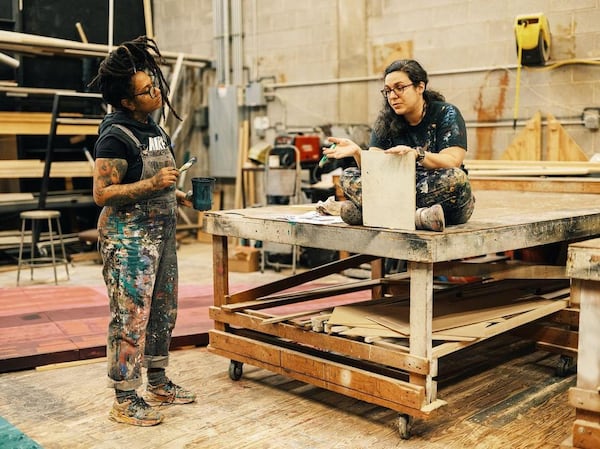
108 190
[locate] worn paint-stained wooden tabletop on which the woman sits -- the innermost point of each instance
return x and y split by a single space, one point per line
496 225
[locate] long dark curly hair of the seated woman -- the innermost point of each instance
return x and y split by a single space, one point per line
388 123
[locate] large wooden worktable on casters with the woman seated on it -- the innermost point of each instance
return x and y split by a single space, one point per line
502 221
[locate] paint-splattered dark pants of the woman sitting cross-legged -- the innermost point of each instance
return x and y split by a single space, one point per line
449 187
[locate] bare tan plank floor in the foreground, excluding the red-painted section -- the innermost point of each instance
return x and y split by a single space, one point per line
512 401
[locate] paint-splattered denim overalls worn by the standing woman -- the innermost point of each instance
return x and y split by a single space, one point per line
138 249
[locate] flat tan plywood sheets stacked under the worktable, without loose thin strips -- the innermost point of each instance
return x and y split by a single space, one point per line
476 312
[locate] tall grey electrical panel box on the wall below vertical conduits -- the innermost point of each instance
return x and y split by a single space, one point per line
223 122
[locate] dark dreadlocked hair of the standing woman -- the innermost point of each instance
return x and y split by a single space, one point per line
115 71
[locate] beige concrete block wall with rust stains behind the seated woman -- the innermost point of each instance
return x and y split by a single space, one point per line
322 59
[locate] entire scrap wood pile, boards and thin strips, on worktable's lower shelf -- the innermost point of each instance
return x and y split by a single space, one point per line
503 299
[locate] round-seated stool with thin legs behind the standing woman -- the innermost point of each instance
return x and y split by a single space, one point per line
38 261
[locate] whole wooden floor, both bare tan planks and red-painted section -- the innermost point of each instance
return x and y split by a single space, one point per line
501 393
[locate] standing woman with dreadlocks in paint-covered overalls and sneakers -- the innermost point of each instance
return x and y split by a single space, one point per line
135 183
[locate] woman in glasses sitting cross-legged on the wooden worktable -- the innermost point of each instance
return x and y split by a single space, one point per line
415 119
